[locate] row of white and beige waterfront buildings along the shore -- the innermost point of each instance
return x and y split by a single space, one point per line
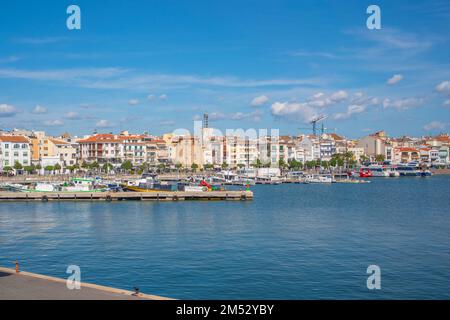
21 148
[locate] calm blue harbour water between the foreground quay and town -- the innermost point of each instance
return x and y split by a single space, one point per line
292 241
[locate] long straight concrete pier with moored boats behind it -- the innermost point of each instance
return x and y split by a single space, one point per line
119 196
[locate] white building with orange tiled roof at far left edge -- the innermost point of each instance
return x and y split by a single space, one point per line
14 149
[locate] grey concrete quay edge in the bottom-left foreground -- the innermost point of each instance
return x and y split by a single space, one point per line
20 285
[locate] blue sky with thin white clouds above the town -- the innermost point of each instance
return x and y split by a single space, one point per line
157 65
